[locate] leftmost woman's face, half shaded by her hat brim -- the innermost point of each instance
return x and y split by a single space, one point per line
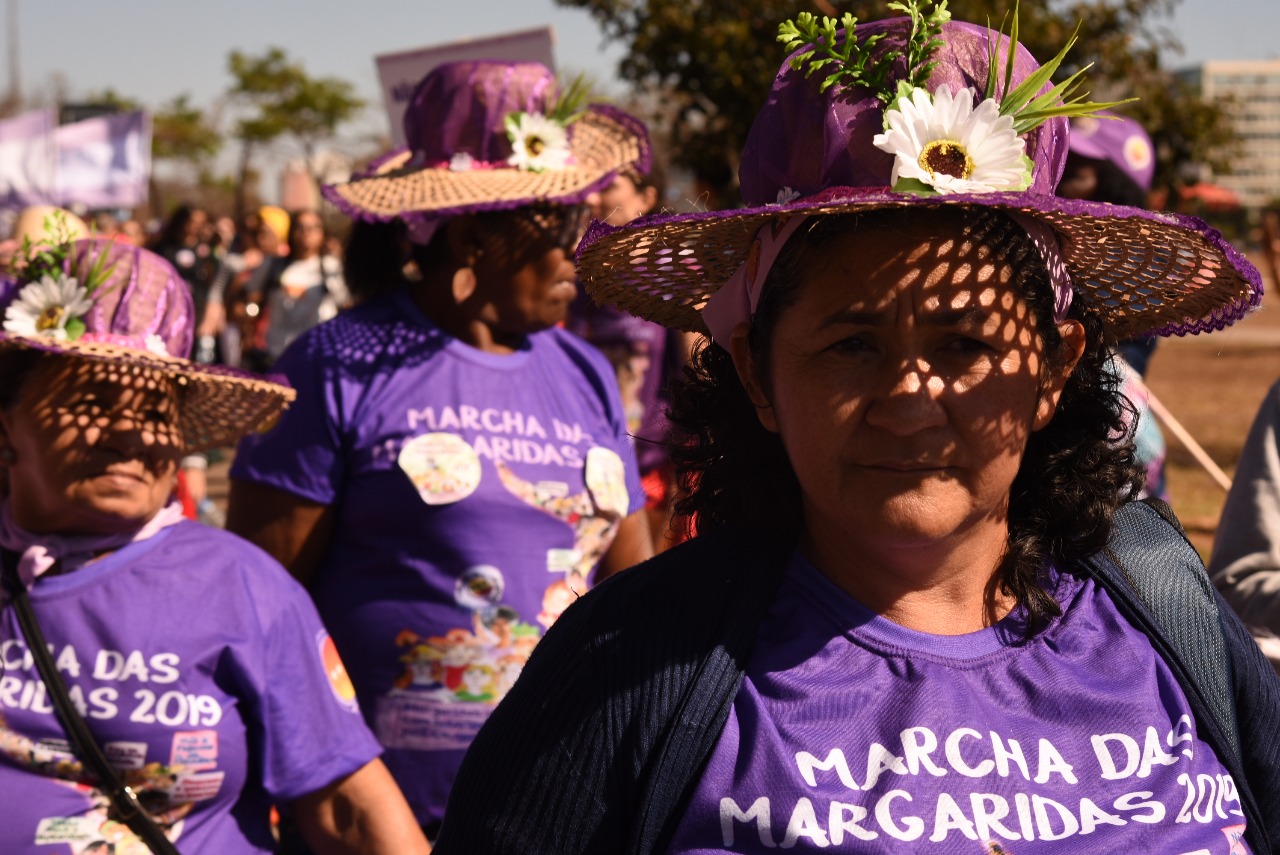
95 447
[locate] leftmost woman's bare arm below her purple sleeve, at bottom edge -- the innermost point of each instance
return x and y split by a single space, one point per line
362 815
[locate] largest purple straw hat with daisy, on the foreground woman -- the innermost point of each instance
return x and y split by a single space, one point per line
913 112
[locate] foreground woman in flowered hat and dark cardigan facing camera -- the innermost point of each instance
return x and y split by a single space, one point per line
899 629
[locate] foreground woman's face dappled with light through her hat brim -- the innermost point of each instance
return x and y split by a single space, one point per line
904 383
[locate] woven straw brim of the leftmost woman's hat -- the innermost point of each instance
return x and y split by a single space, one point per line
220 405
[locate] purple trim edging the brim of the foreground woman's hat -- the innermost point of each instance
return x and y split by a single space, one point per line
1028 203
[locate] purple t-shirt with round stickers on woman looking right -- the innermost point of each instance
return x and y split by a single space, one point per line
474 495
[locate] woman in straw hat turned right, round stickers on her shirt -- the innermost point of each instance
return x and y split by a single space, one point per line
456 470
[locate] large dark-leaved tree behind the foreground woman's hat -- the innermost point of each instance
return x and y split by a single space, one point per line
711 65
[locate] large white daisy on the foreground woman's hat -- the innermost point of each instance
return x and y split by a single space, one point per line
950 145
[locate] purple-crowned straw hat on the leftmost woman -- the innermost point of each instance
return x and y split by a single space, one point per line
138 314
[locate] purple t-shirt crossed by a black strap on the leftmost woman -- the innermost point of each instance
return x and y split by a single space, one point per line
204 673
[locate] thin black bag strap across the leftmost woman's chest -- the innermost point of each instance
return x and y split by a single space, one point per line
124 799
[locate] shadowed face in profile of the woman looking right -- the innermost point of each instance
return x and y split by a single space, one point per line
525 278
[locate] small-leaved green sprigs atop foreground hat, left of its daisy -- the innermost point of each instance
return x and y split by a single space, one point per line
858 63
